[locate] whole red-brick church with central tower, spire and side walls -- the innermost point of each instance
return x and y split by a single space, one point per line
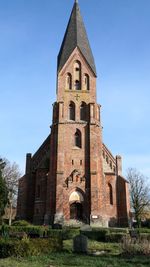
73 175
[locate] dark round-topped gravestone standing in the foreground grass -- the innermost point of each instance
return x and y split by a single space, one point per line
80 244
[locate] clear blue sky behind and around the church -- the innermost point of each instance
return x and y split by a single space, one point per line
31 32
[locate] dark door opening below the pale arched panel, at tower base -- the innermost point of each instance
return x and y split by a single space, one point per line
76 211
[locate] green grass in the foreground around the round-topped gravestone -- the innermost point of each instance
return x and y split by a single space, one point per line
67 258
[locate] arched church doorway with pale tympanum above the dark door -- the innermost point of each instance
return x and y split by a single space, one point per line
76 205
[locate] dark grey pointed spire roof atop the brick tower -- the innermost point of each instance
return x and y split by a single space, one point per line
75 36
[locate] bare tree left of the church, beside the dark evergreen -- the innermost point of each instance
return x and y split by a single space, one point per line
11 174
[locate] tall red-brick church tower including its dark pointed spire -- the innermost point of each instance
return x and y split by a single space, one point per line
76 182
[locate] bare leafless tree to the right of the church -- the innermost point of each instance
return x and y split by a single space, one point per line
139 192
